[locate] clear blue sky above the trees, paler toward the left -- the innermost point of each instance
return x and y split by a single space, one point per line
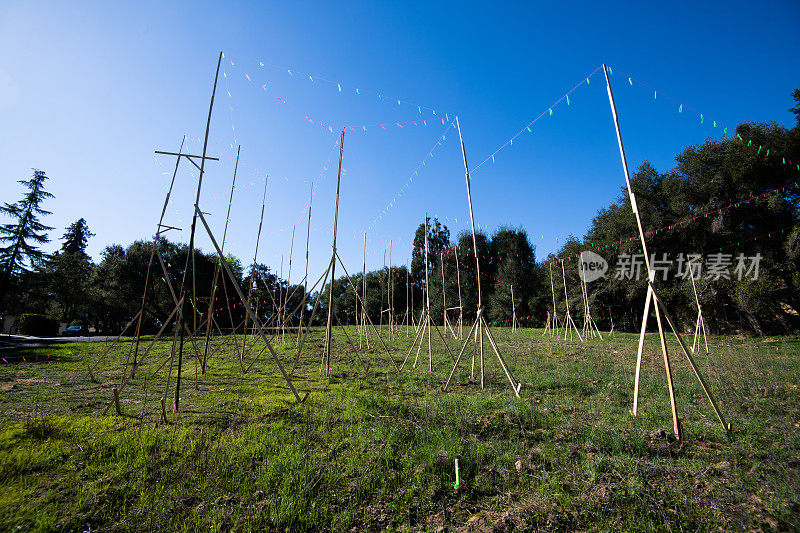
89 91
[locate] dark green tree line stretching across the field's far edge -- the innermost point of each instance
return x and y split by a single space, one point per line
724 199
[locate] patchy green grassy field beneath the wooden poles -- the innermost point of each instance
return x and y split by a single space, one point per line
374 449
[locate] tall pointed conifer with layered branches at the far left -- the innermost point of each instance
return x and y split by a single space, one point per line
25 234
